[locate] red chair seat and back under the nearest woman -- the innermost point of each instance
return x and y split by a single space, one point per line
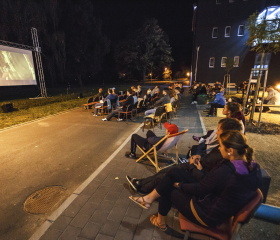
226 231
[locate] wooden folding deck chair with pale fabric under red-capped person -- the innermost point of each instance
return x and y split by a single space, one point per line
170 141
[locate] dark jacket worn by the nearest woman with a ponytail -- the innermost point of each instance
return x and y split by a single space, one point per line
223 192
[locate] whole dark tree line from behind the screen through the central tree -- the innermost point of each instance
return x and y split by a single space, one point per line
74 46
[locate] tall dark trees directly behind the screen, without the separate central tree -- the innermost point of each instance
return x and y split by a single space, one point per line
73 44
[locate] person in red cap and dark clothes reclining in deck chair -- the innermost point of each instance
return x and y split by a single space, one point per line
150 140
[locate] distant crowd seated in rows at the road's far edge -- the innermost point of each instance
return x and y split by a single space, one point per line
117 103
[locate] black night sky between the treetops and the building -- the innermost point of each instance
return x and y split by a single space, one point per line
120 17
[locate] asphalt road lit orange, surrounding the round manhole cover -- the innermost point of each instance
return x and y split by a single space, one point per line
59 150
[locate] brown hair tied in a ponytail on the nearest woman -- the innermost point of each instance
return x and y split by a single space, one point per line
236 140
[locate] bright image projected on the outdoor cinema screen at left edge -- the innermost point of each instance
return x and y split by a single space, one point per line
16 67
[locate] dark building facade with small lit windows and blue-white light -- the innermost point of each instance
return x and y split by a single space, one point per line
220 37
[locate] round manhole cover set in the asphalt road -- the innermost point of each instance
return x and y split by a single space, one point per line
44 200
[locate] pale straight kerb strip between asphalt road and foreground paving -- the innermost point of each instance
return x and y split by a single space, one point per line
44 227
